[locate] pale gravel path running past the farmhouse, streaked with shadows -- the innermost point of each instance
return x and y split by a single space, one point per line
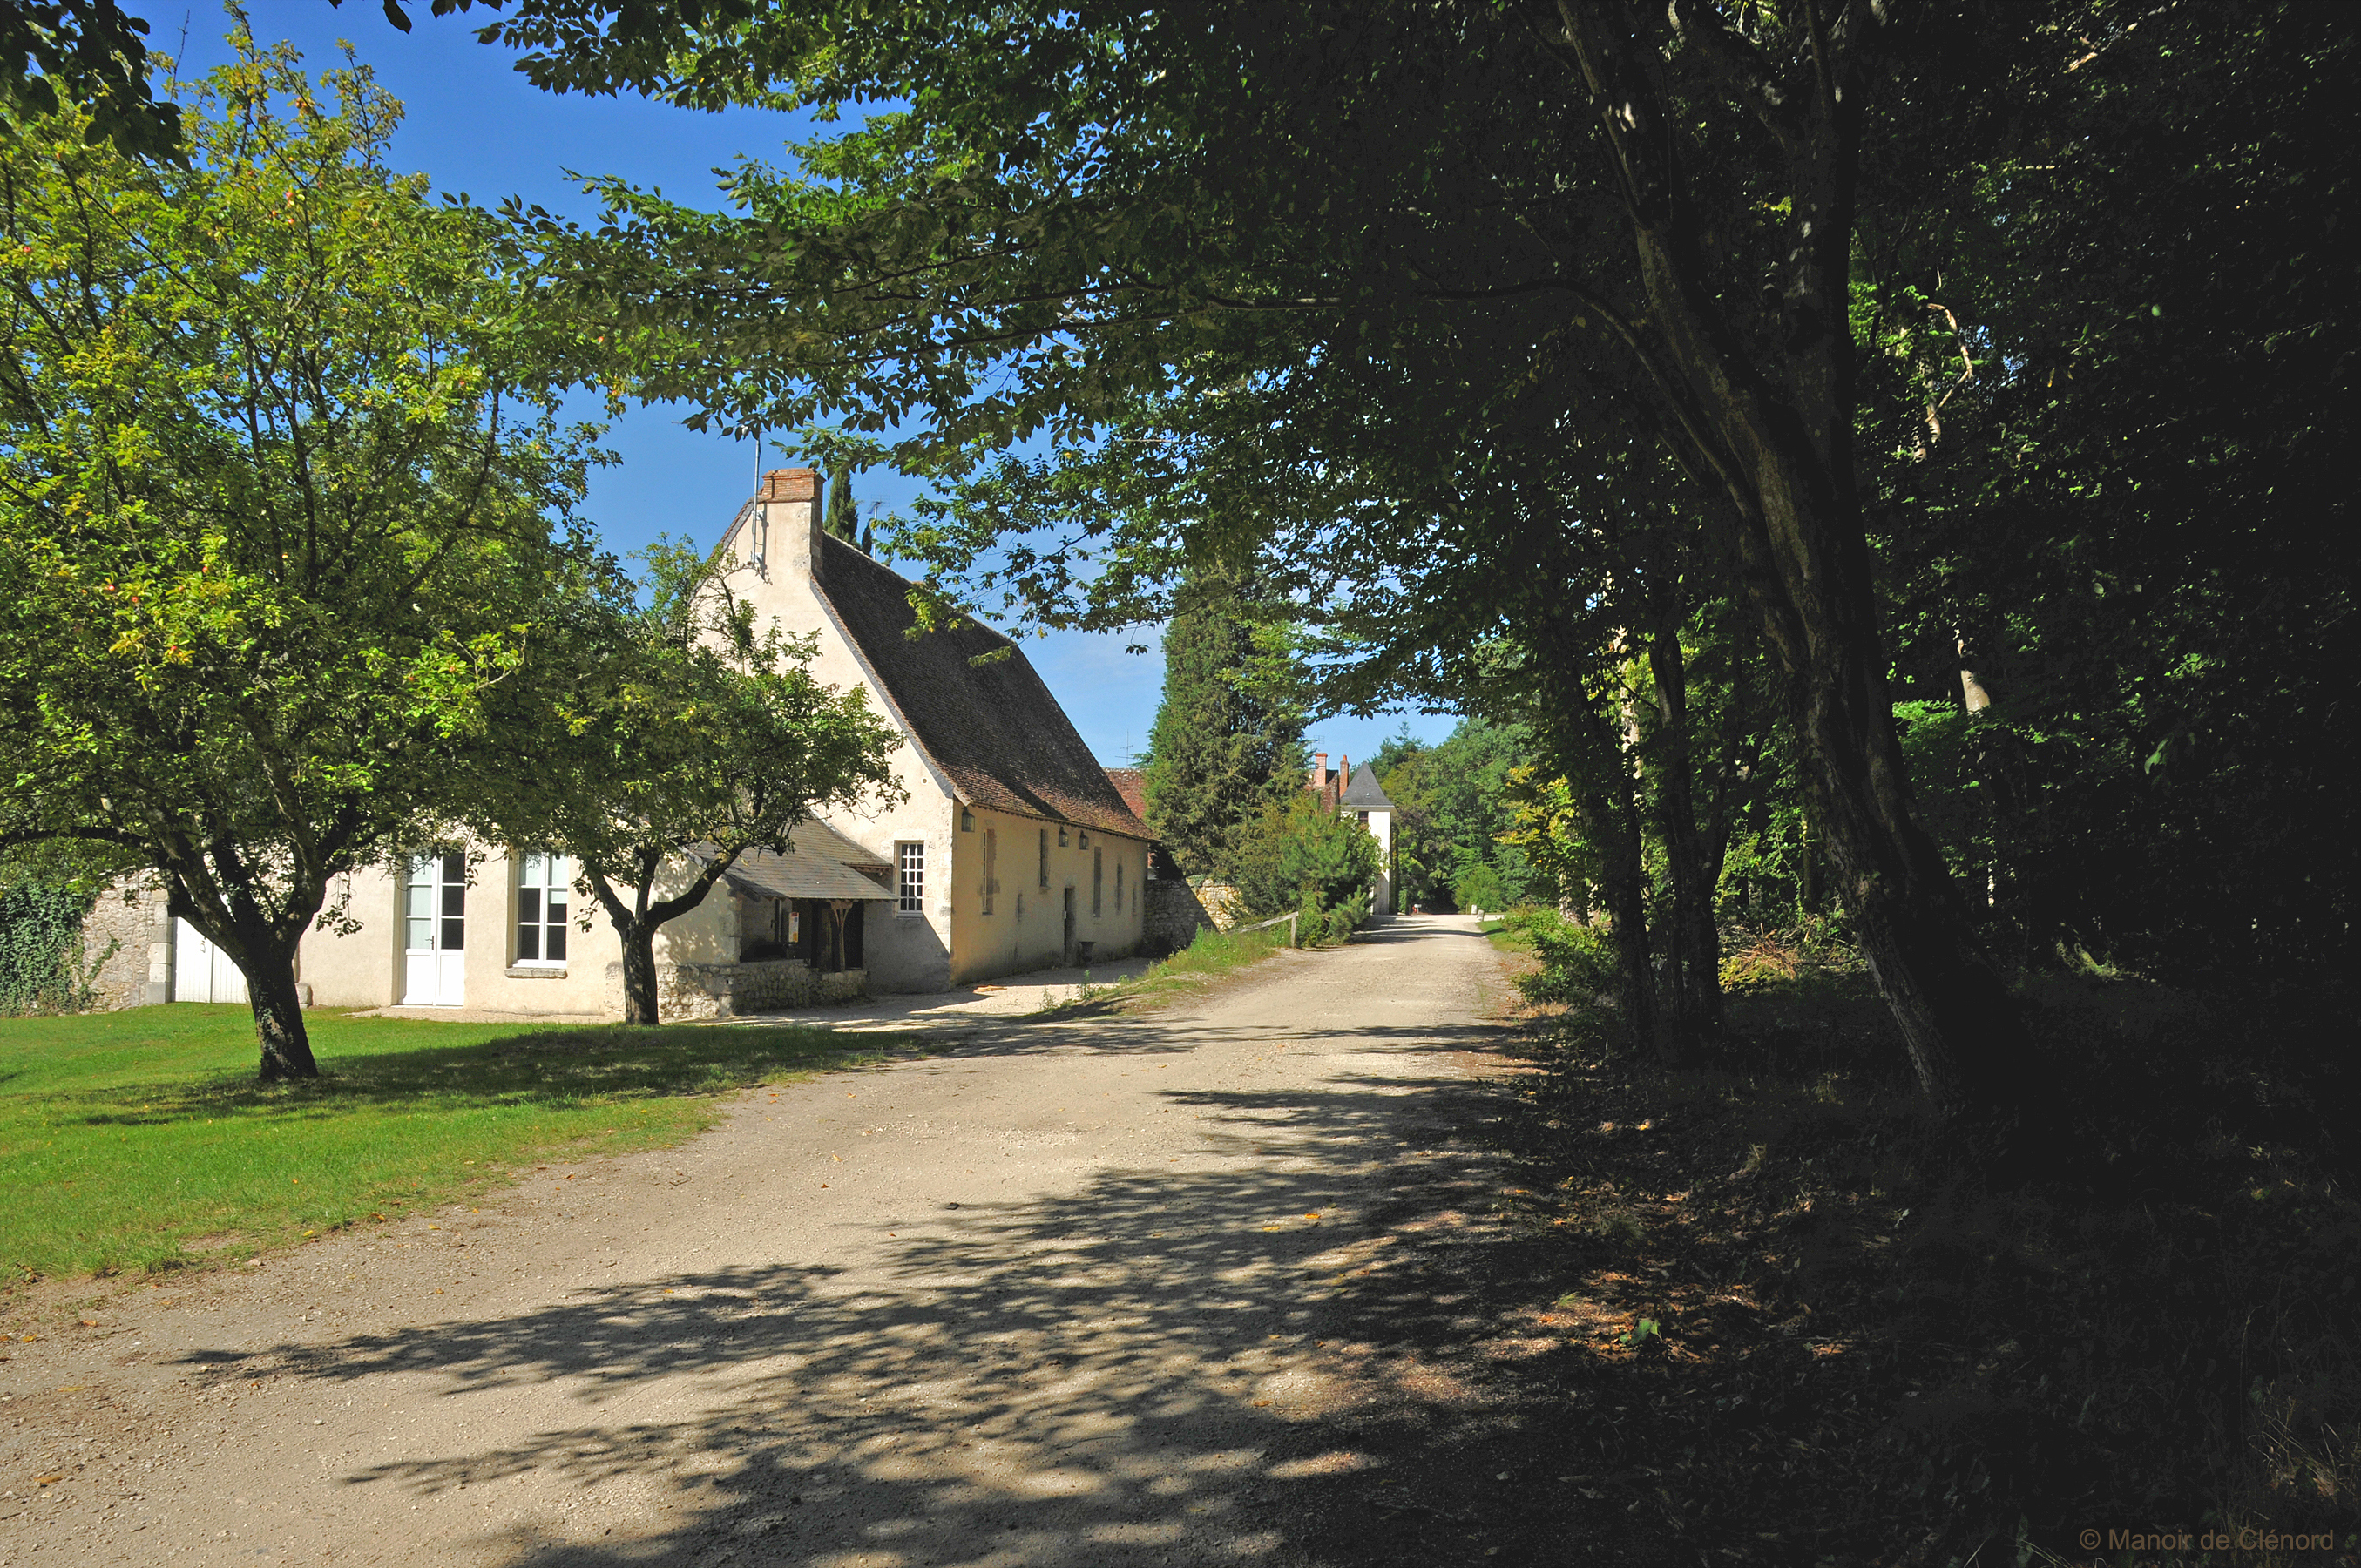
1144 1291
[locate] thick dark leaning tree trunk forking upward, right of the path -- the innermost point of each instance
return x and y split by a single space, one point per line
1779 445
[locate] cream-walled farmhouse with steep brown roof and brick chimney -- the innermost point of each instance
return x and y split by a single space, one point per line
1012 849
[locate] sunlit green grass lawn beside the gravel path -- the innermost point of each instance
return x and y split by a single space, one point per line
143 1139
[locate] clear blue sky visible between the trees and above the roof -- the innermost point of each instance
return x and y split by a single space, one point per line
476 126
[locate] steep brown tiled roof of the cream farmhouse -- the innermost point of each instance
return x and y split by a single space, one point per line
993 729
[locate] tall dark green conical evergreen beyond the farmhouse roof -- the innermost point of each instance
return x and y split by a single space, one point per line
1227 740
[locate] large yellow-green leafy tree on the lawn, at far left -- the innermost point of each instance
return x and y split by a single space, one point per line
280 462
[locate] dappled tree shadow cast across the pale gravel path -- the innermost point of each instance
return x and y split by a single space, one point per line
1286 1361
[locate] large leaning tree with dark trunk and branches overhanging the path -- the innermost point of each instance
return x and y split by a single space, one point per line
1637 223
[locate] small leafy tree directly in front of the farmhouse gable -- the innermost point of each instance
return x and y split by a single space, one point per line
688 738
